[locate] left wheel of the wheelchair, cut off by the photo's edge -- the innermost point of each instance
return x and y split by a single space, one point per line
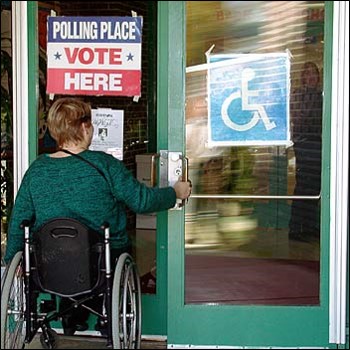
13 306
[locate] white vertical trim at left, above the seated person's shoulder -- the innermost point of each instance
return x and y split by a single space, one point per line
20 92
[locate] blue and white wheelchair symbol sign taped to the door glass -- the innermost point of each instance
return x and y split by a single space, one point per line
248 99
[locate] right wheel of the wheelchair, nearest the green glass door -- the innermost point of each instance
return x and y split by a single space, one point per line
126 305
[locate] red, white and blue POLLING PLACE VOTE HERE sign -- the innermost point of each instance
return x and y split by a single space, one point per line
94 56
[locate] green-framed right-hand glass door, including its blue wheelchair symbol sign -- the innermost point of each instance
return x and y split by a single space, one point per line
248 255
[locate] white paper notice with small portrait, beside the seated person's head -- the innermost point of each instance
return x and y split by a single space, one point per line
108 131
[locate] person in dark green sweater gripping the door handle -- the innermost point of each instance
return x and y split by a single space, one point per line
89 187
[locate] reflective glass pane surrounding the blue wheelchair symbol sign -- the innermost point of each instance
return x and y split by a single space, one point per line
255 250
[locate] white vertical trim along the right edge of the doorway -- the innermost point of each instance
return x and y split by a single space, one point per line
339 200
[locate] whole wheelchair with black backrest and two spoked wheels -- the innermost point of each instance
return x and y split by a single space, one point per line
66 259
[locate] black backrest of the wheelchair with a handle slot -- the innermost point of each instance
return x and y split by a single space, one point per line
67 257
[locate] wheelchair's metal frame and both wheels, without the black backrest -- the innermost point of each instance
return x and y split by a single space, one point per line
20 321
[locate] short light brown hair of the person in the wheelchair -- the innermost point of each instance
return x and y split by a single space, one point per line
65 118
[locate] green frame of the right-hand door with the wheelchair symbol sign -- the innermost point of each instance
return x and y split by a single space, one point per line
249 326
